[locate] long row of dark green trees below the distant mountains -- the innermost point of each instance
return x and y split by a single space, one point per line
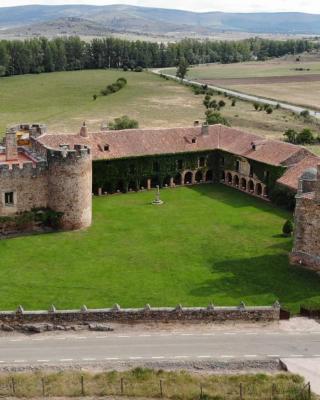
42 55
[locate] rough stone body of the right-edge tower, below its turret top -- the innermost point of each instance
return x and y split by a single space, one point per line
306 250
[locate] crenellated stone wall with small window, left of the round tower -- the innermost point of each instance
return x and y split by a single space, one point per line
28 184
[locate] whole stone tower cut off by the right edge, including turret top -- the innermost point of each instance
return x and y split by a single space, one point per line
306 248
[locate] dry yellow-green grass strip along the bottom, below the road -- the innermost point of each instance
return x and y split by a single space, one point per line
145 384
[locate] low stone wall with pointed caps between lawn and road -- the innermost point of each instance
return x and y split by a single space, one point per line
146 314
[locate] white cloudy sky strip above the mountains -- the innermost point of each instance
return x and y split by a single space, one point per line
311 6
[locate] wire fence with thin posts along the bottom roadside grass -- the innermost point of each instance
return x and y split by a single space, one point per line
76 385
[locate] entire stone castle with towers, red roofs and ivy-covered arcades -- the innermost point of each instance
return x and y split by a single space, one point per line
61 171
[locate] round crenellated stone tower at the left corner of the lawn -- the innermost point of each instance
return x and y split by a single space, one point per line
70 185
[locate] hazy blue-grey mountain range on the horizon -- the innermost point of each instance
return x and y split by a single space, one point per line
74 19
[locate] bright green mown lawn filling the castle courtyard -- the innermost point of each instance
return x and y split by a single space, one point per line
205 244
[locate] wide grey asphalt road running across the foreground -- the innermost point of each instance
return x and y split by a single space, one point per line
87 347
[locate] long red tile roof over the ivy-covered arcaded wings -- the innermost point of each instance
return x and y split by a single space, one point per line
142 142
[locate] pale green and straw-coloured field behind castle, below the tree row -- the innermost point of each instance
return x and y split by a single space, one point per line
64 99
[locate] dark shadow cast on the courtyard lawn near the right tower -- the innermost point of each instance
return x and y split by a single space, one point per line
271 276
